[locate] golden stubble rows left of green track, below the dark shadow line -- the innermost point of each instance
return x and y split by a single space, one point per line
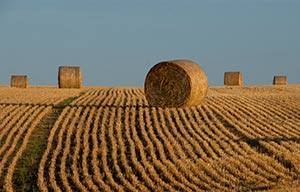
16 128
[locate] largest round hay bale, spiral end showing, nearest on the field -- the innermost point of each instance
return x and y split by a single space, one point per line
178 83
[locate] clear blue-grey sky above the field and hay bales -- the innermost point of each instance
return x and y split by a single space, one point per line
116 42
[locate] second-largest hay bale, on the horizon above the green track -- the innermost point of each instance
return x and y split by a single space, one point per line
69 77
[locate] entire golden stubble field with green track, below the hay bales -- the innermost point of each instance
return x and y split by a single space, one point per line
109 139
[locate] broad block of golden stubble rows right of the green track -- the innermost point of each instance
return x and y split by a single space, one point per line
112 140
